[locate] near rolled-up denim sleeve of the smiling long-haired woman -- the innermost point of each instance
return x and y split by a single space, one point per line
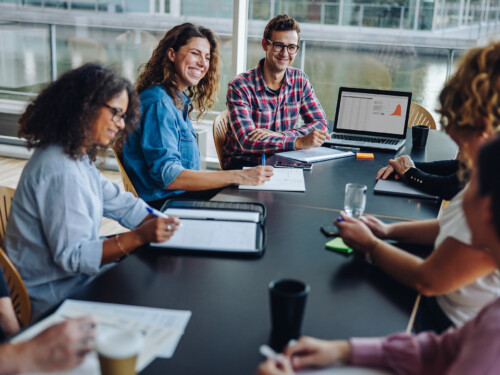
159 143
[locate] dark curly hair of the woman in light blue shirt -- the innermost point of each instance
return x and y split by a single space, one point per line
65 111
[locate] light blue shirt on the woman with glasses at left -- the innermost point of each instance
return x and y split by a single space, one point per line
52 234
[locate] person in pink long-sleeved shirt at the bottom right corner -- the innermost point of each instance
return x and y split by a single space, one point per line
471 349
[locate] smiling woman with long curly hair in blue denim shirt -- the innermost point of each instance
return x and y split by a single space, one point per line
161 157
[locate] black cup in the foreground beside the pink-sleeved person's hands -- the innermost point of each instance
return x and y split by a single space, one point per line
288 301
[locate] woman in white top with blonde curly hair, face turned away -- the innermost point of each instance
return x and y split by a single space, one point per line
462 278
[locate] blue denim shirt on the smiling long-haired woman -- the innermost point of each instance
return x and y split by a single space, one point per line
163 145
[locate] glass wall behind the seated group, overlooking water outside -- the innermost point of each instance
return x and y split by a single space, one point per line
27 61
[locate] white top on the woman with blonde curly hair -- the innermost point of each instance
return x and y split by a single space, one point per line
463 304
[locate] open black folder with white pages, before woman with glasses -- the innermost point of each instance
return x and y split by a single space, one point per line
214 227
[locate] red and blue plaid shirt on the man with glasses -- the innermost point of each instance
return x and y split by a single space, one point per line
251 105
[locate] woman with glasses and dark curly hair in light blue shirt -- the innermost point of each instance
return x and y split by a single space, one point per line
52 233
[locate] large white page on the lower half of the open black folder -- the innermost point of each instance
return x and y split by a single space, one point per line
215 235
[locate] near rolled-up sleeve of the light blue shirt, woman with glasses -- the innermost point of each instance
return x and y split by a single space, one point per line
68 223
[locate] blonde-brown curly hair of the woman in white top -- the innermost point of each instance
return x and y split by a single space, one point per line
473 92
